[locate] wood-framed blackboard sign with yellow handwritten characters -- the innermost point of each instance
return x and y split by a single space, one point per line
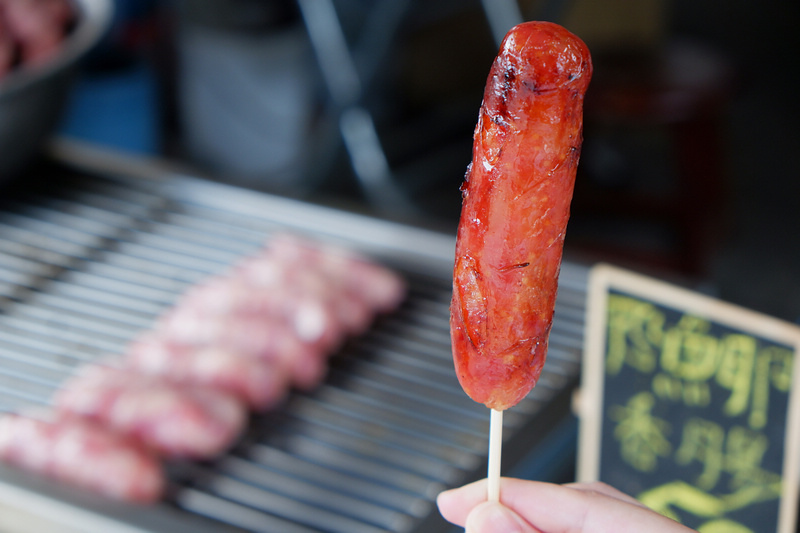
687 403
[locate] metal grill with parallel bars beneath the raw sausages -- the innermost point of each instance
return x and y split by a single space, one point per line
89 259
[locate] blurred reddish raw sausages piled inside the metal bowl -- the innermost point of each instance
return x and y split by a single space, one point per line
32 31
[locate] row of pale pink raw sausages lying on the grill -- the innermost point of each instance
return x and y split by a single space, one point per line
232 344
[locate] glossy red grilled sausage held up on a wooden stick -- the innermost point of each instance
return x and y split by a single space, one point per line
516 198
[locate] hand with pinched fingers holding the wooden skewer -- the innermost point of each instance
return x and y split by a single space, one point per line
534 507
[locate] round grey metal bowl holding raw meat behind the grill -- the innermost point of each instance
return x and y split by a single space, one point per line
32 98
